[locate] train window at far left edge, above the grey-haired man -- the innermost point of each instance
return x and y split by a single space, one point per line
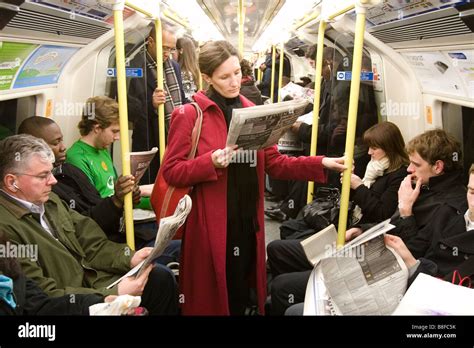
13 112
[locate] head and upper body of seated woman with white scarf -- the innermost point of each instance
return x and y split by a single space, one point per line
376 193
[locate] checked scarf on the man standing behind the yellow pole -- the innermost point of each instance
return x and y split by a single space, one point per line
170 85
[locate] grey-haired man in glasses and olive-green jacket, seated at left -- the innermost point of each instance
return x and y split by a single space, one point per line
75 256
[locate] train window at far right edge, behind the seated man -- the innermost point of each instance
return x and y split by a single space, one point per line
459 121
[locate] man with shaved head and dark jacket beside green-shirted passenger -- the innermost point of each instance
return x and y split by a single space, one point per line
75 188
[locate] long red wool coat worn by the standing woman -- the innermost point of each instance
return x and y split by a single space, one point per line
203 257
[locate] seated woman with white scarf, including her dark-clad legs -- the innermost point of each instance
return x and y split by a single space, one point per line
376 197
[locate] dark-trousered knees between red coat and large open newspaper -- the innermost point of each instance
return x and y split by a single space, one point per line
291 270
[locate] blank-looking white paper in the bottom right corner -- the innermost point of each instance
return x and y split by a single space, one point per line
423 298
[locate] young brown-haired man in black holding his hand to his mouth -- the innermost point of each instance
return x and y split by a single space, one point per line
436 168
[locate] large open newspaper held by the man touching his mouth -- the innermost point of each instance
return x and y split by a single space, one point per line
363 278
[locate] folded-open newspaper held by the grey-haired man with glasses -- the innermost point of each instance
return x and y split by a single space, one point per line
166 231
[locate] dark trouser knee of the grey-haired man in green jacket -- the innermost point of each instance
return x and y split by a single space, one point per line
160 296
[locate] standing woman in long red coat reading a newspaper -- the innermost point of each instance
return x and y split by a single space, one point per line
223 252
